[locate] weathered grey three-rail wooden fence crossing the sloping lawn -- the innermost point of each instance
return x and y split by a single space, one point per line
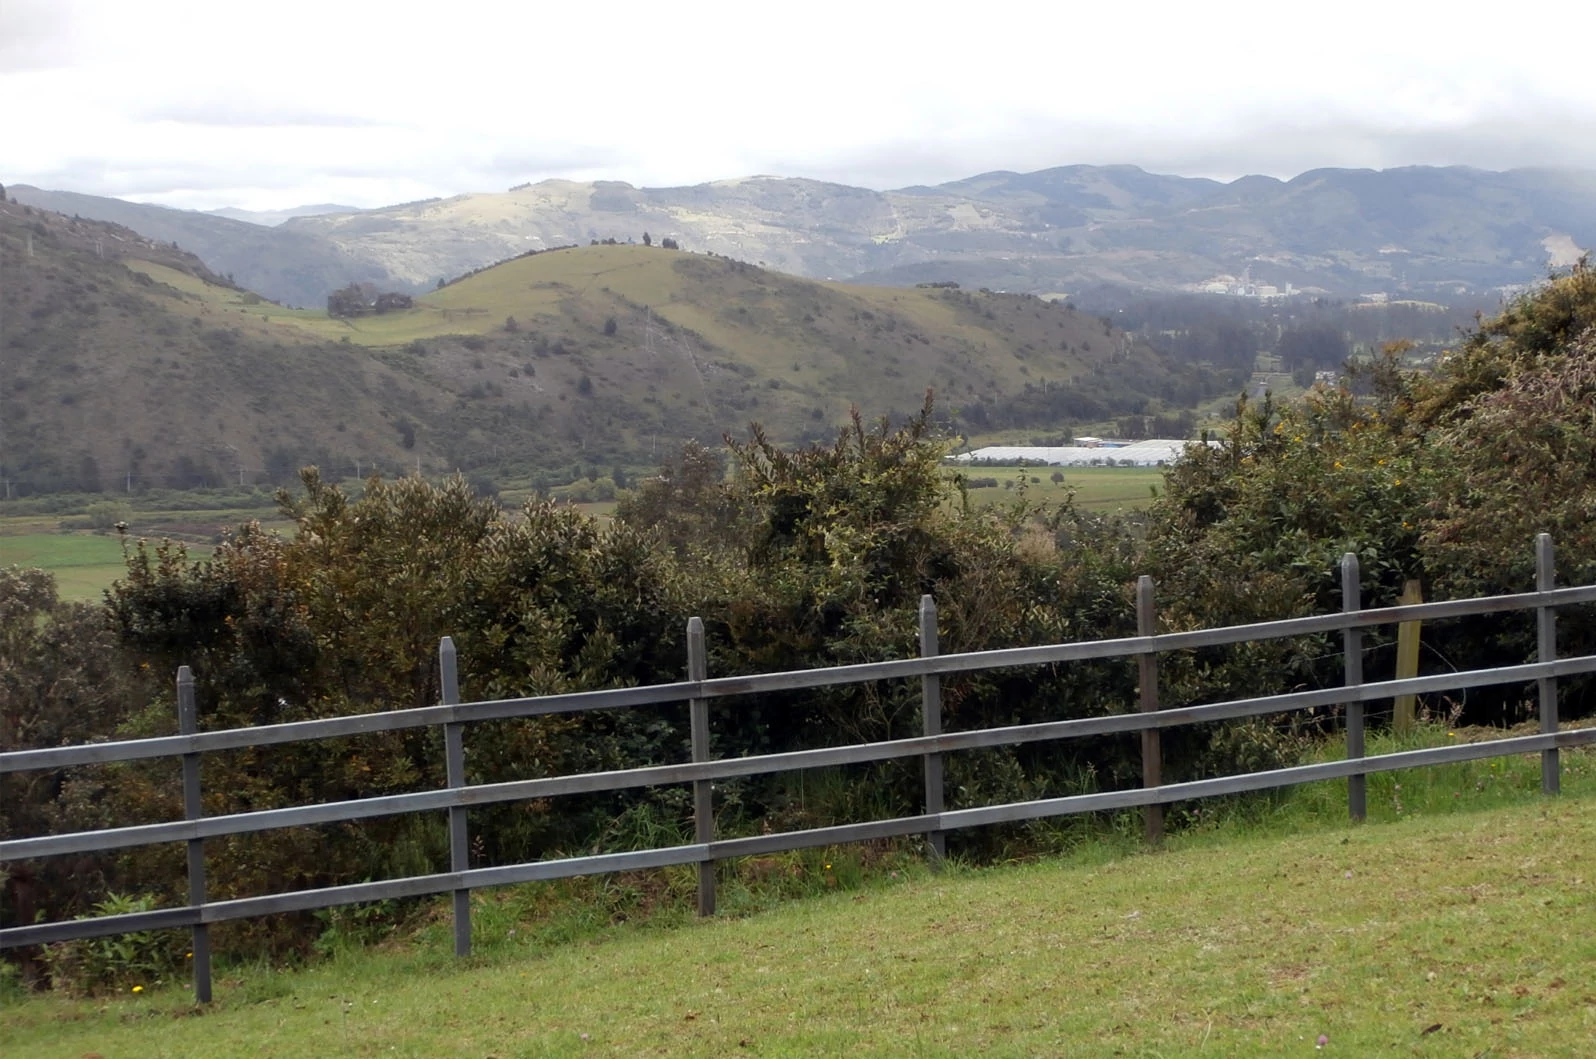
703 771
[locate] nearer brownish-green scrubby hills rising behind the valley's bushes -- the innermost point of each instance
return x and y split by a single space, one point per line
130 363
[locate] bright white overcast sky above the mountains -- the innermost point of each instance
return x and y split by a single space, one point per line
277 104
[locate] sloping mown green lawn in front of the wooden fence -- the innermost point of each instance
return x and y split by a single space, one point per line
1453 924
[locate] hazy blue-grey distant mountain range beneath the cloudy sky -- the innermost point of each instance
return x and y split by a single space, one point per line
1345 232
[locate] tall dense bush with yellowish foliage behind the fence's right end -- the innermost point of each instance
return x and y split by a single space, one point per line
1439 476
